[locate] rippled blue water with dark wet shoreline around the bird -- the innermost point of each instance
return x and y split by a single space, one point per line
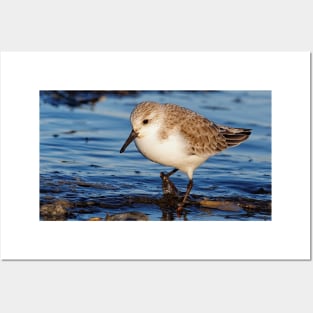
81 134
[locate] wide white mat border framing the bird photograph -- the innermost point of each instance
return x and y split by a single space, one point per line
23 74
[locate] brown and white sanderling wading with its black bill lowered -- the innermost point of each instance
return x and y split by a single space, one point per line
174 136
